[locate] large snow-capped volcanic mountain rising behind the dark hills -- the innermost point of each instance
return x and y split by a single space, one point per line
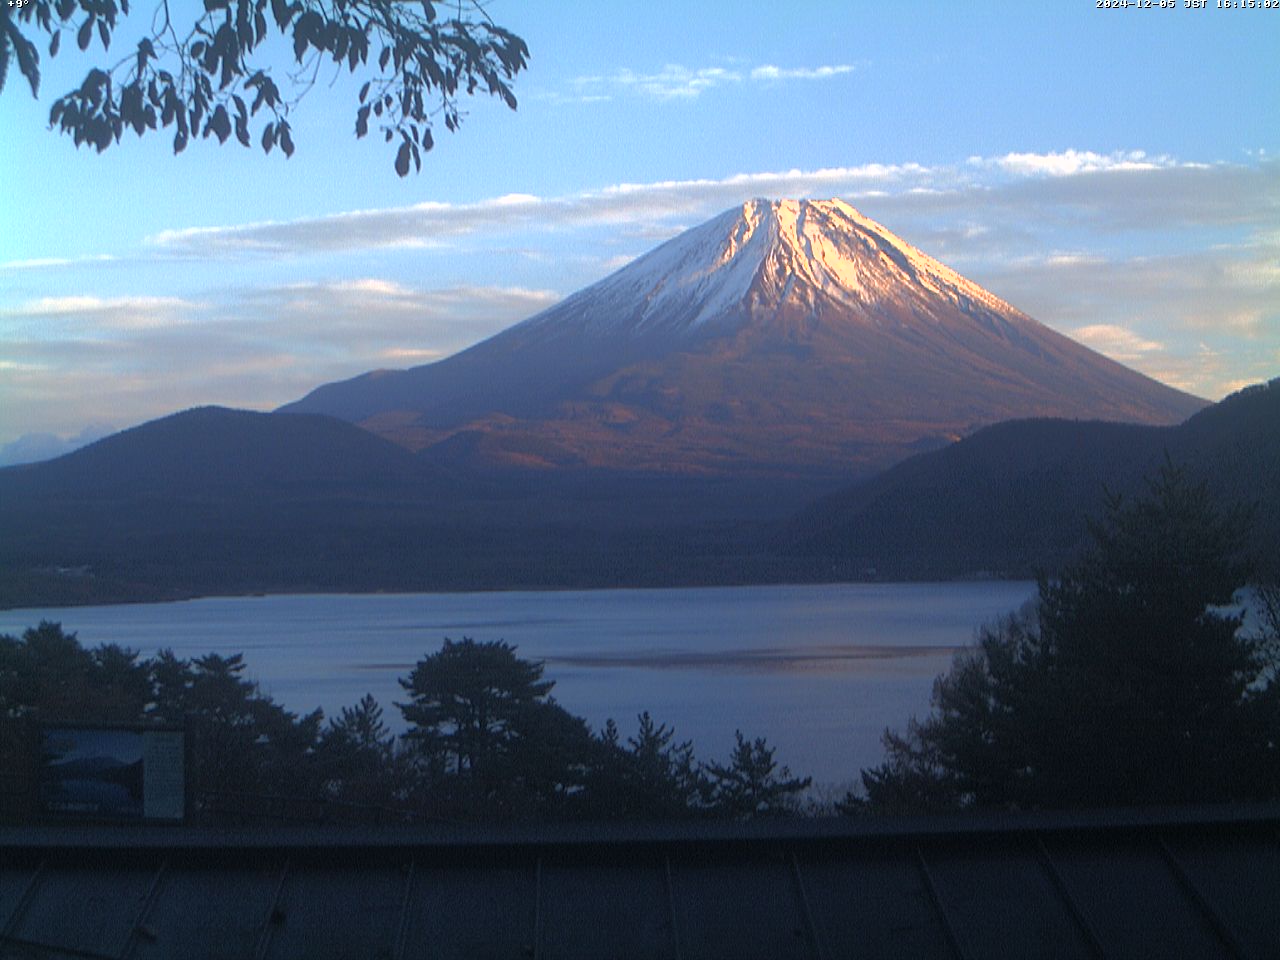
781 337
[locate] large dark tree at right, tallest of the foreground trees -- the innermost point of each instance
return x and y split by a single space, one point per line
1131 682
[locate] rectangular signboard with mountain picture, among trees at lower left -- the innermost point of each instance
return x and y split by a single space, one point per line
99 772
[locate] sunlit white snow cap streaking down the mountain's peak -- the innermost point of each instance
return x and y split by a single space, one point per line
758 257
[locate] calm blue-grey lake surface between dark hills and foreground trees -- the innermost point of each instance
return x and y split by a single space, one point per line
819 670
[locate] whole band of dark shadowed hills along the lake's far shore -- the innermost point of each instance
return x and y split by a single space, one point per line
230 502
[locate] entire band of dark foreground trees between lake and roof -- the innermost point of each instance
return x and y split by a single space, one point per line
1145 674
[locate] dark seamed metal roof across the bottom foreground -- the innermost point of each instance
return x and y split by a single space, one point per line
1156 884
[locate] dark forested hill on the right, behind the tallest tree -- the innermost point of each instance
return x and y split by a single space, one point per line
1013 499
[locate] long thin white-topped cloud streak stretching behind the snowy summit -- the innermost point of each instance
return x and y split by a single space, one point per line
1126 190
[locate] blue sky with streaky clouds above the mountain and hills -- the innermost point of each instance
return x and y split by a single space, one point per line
1116 173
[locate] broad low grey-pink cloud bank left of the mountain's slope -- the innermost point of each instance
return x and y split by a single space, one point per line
241 346
